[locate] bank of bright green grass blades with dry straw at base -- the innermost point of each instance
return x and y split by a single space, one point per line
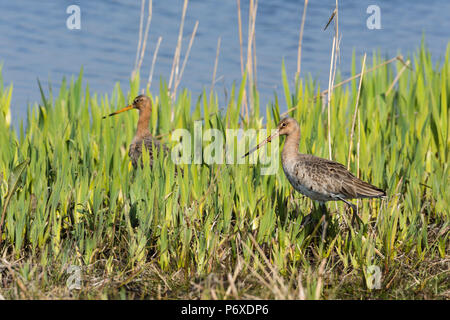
69 196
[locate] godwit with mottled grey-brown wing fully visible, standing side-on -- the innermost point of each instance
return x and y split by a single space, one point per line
317 178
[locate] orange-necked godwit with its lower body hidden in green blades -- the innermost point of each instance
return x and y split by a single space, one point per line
143 135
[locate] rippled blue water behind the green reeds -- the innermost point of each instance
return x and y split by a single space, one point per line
35 42
